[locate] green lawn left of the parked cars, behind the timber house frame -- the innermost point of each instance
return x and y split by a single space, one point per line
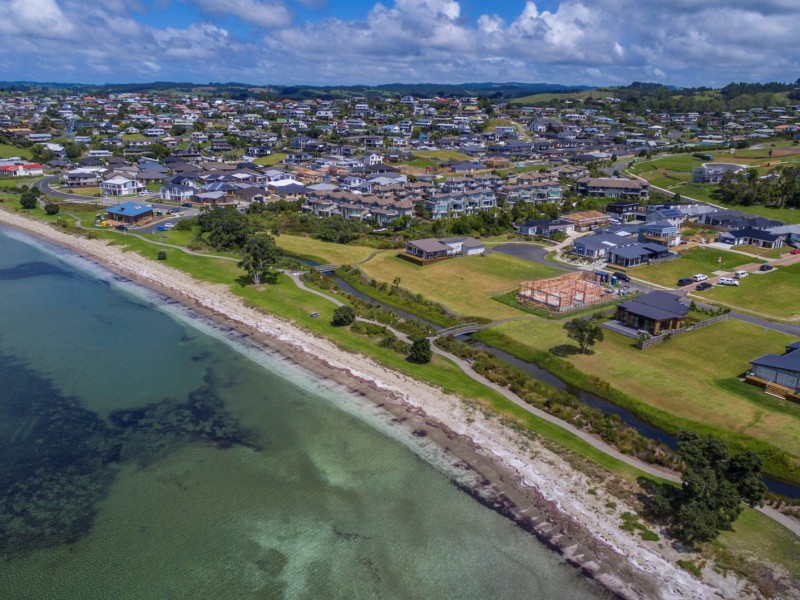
696 260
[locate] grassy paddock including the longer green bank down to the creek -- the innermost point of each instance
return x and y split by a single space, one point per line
670 388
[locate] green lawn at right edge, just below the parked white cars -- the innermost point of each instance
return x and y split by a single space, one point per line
775 293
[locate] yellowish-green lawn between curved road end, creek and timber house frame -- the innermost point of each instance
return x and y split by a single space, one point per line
465 285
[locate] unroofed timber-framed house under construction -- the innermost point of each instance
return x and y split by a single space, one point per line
572 291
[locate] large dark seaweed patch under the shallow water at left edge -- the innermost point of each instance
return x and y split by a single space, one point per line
60 459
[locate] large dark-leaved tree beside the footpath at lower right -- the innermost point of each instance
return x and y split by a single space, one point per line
714 485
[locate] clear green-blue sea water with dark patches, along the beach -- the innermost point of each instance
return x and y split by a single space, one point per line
148 453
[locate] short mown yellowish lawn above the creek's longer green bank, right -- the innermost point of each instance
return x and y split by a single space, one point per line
692 377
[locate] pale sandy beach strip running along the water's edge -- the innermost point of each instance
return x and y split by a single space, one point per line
519 477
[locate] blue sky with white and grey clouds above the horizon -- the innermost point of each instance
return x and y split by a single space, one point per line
329 42
